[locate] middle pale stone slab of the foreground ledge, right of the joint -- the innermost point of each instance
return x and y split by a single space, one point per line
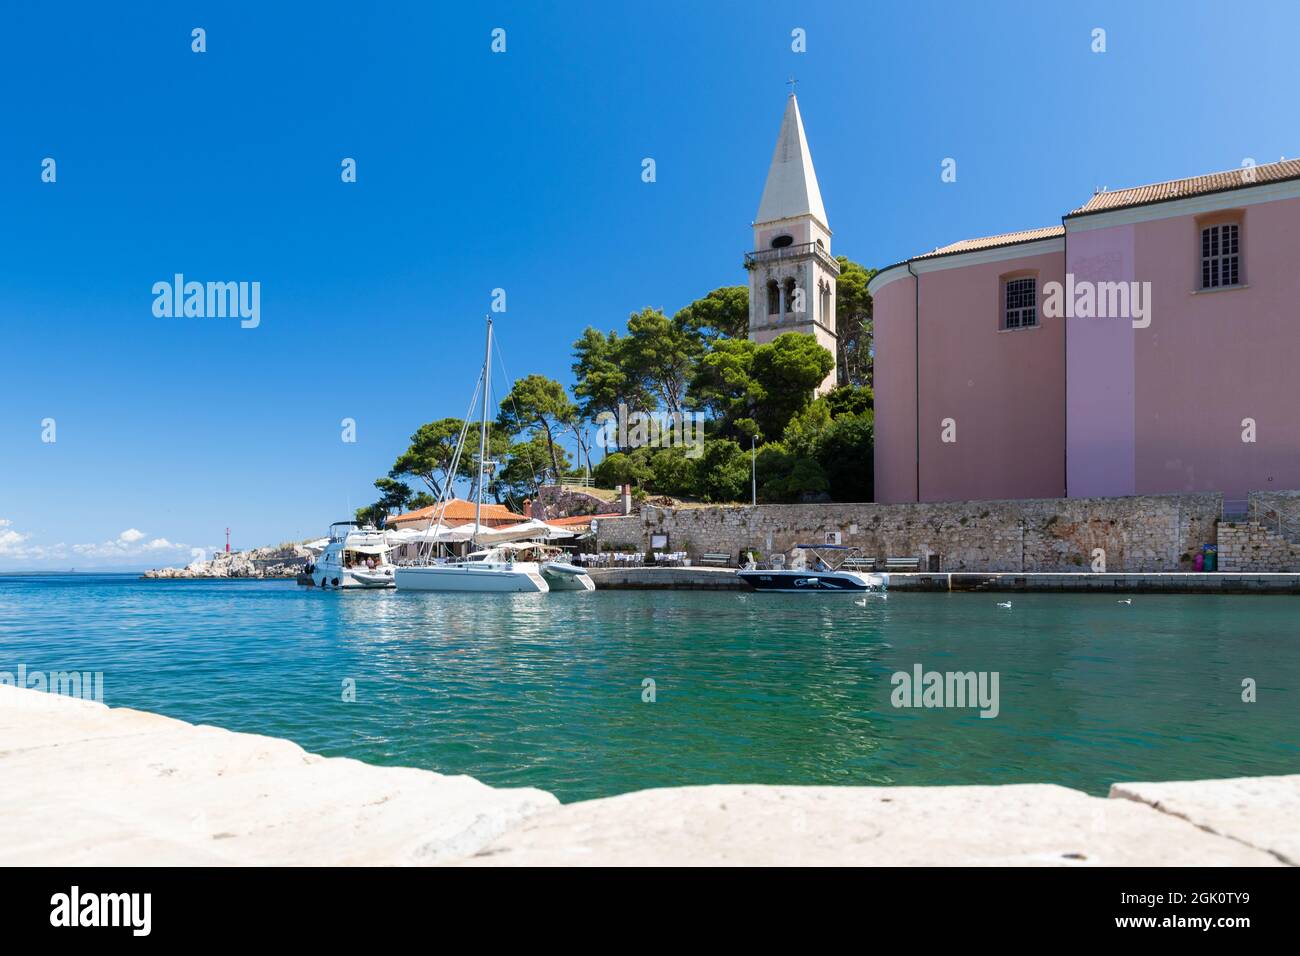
1030 825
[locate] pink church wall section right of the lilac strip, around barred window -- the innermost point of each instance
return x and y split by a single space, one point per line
1212 360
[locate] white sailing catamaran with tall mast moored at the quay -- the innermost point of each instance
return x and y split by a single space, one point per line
492 570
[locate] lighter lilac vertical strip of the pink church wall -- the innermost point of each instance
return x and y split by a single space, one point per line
1100 373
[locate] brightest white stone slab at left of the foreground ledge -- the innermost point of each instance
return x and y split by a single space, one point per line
90 785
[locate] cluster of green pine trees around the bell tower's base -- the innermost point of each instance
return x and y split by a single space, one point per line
761 417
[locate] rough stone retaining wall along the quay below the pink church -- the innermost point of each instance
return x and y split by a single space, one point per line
1137 534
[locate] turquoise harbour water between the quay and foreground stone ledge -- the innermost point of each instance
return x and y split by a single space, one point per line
547 690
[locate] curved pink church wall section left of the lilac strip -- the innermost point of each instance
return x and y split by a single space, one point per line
1003 390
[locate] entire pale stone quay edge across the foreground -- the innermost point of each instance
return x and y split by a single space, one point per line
86 785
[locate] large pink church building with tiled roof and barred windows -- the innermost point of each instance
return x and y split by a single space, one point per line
1147 345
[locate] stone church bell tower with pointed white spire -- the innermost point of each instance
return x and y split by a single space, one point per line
791 271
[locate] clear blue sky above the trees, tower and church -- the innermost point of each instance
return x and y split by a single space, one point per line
480 171
